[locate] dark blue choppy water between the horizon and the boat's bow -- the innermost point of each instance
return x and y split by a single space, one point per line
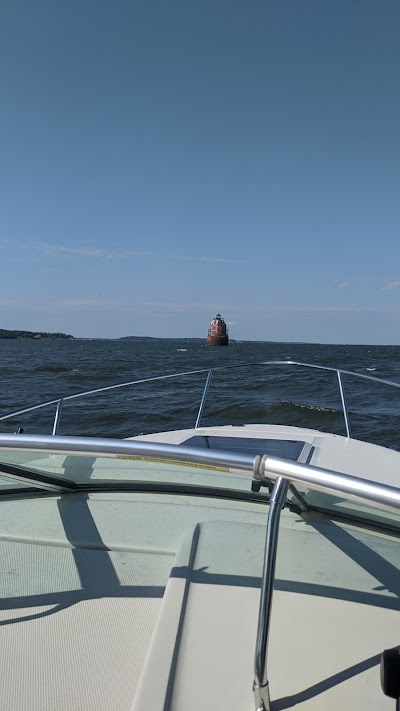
32 371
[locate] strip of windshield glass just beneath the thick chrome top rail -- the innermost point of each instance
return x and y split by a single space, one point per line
23 471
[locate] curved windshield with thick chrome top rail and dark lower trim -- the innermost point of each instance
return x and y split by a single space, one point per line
224 466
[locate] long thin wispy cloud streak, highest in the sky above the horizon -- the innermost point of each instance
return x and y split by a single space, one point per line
110 255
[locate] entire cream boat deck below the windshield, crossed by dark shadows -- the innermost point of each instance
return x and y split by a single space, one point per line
82 592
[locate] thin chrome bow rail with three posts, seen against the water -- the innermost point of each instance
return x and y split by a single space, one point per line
58 401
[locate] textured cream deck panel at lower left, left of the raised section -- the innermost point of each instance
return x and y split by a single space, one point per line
81 586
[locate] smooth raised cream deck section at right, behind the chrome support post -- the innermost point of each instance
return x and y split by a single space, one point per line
331 619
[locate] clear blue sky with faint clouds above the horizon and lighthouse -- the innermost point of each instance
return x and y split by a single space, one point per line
161 161
